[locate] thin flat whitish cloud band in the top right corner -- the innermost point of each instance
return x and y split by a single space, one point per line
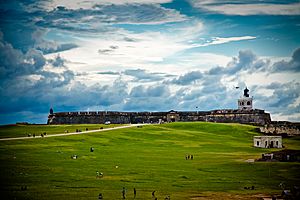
243 8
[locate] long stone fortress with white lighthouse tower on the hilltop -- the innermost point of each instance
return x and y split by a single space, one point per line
245 114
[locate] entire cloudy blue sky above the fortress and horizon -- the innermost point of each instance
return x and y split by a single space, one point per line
147 55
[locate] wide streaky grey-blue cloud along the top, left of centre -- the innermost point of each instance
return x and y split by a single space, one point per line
101 17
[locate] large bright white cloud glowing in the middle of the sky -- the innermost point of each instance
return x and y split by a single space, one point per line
121 49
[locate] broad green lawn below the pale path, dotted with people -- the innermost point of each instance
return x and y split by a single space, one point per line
151 158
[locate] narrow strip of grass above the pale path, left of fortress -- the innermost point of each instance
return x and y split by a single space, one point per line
19 130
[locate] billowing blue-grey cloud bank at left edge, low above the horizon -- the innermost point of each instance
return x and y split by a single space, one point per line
26 78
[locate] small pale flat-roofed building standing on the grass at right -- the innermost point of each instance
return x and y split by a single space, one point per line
267 141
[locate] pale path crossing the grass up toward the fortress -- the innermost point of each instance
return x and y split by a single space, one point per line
74 133
